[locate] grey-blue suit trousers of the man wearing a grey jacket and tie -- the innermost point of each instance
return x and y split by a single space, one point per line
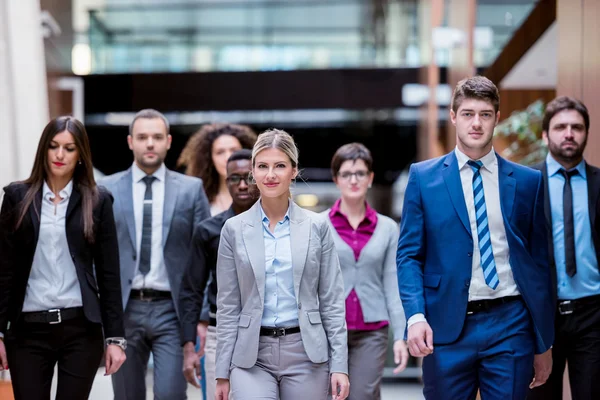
151 327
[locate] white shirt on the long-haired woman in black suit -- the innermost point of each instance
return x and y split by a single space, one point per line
53 281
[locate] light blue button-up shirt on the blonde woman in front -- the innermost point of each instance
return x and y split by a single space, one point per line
280 301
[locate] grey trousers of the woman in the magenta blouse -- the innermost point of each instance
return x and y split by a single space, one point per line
366 360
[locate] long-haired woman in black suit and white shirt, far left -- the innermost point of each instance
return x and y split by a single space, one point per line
59 271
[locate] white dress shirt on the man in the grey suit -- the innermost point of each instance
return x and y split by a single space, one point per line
157 278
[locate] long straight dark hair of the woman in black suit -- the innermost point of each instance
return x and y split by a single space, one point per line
83 176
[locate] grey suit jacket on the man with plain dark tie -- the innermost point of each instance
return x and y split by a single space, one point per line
185 205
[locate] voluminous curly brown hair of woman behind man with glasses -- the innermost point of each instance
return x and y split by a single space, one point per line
196 156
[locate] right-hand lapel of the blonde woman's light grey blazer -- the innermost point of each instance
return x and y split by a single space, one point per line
300 227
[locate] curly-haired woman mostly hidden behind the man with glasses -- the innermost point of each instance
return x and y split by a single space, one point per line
219 141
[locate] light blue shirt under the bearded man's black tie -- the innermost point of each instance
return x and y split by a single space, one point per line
586 282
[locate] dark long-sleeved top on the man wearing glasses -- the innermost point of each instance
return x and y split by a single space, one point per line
202 263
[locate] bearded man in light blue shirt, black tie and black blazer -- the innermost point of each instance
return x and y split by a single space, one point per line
573 217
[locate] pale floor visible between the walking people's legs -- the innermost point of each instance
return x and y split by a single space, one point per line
102 389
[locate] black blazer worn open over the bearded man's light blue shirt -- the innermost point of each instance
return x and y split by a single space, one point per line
593 183
